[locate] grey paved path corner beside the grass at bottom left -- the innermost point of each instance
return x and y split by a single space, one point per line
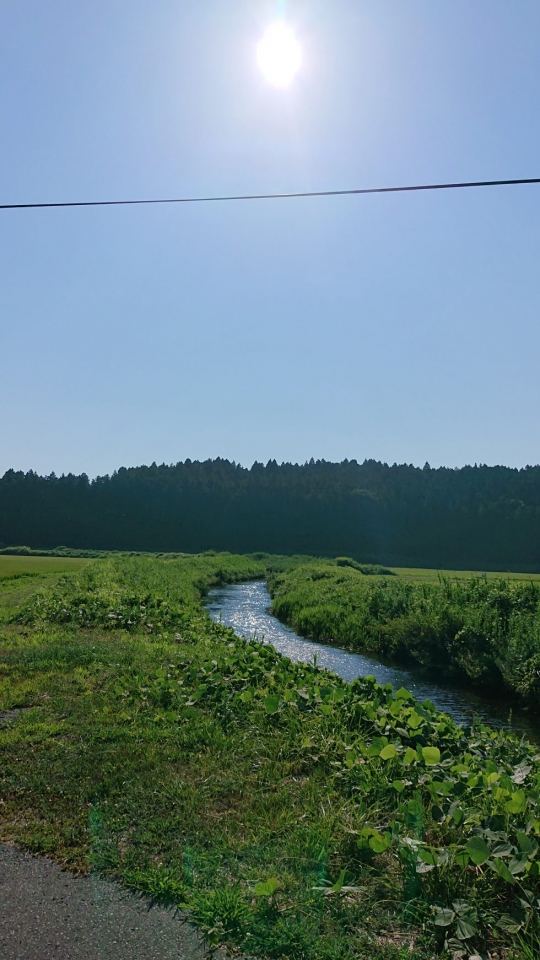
46 913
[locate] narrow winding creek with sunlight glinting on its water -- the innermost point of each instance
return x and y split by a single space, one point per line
245 608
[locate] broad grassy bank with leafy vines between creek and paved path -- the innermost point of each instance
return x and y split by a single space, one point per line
293 814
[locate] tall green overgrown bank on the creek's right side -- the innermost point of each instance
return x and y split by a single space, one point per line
486 632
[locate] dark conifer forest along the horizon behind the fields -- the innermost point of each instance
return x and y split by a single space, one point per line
475 517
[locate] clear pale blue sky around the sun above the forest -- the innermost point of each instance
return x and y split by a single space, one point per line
404 328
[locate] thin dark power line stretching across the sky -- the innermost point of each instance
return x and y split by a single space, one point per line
273 196
